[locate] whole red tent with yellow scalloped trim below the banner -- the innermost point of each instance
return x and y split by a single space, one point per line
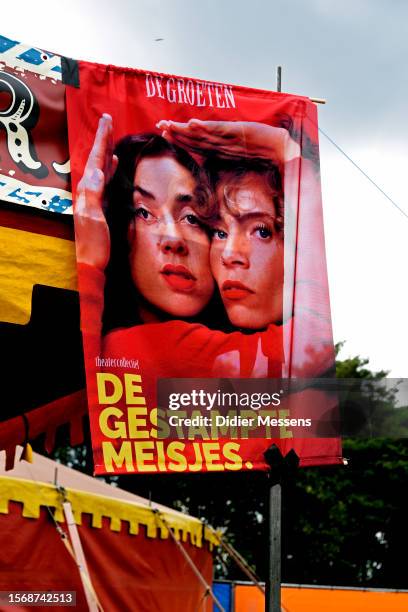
133 561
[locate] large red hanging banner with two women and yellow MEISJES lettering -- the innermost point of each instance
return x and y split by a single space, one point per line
202 272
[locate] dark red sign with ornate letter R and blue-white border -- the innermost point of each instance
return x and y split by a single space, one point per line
34 164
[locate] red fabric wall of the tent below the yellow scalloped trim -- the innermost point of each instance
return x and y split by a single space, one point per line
128 572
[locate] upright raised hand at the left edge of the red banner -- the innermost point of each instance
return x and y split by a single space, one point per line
91 229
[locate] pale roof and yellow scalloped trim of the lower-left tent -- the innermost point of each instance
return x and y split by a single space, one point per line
44 483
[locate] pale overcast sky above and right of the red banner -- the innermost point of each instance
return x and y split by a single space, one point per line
352 53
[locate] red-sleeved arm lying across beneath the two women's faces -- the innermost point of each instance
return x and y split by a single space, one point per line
179 349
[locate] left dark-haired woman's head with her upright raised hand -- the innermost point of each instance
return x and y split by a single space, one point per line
155 248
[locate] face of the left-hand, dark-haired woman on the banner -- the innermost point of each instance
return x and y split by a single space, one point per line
169 254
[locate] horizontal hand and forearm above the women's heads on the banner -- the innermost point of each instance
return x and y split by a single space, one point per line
232 139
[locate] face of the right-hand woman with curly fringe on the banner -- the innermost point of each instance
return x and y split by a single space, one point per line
247 253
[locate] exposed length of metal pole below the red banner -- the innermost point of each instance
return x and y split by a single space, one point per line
273 586
